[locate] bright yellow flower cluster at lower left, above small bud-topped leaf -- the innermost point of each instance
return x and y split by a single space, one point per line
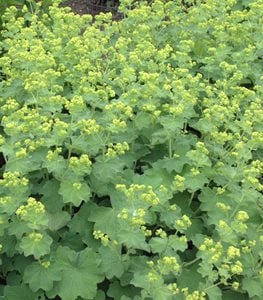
33 207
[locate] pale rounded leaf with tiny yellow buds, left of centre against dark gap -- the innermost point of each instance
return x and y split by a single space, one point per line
74 192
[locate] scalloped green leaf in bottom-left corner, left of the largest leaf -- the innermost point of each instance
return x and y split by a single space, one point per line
39 276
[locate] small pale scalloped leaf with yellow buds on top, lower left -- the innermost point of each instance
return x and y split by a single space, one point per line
32 245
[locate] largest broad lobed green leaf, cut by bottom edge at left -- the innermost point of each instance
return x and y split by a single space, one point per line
80 273
